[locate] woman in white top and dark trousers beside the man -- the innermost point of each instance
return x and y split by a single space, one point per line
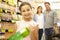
39 18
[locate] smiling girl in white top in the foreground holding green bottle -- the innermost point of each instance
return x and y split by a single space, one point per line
27 21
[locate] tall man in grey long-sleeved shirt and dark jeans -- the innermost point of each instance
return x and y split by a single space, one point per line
50 18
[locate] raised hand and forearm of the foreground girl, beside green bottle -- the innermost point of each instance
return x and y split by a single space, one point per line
34 32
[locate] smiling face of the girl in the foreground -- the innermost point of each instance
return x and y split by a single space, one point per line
26 11
